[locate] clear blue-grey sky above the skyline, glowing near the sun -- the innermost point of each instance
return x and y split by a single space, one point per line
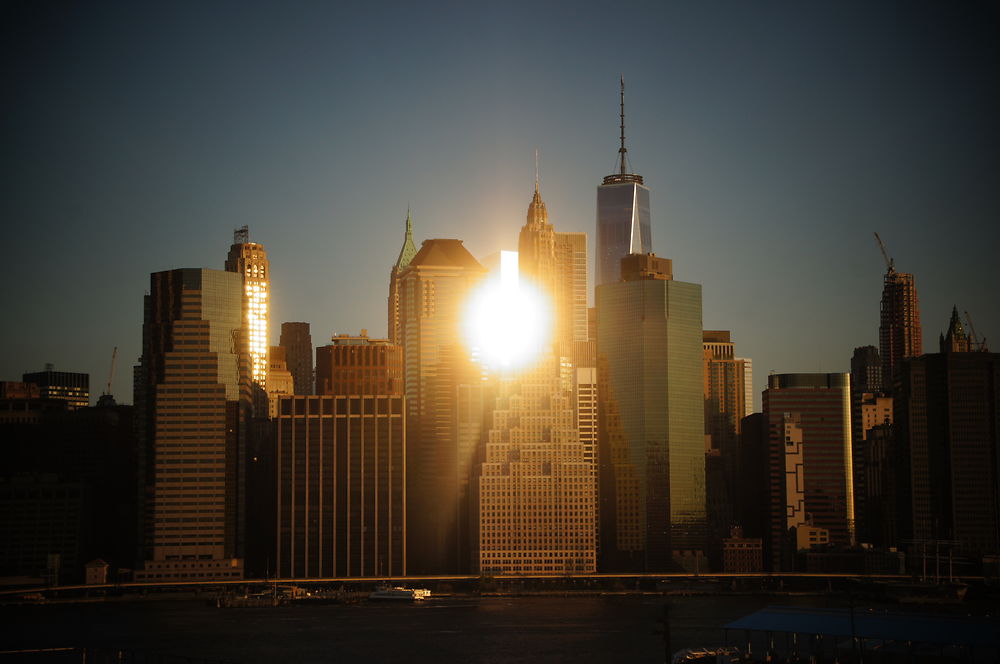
775 138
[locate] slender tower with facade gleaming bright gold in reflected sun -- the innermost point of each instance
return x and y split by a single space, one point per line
249 260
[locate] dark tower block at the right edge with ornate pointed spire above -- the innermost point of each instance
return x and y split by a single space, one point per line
946 415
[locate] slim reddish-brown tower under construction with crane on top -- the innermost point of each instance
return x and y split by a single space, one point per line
900 335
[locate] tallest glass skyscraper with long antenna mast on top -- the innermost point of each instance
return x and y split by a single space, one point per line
623 226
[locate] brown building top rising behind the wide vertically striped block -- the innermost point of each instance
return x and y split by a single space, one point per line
357 364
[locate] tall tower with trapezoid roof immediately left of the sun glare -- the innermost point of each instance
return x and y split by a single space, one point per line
444 406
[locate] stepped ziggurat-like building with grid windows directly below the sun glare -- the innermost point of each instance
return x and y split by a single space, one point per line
537 498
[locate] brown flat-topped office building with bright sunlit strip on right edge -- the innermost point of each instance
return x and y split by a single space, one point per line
809 429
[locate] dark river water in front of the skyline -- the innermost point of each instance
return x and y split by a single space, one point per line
493 630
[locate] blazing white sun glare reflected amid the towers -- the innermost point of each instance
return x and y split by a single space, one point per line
507 322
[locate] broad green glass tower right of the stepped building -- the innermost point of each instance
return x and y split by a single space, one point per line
652 440
